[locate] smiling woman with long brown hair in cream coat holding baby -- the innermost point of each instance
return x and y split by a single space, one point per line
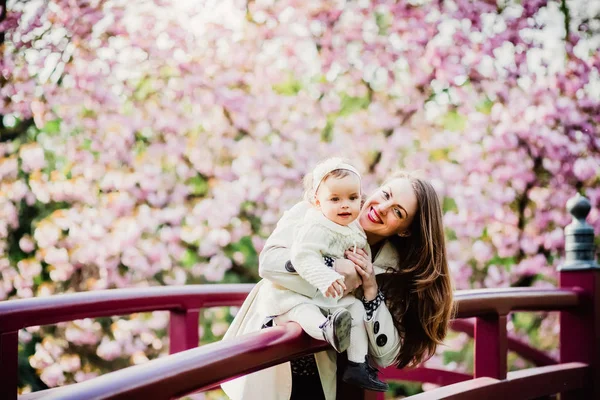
408 305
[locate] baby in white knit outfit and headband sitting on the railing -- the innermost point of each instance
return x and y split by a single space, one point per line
328 230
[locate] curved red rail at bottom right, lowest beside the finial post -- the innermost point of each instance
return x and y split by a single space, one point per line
525 384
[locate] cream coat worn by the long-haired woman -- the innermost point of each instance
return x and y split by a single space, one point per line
275 383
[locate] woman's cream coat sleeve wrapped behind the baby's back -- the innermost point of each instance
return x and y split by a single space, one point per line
274 260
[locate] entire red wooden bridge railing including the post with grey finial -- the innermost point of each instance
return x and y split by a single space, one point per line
576 375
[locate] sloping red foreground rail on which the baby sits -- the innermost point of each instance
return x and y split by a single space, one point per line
196 369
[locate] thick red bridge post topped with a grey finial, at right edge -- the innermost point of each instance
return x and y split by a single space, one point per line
580 328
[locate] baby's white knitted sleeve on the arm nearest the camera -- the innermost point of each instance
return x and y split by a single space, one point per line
307 257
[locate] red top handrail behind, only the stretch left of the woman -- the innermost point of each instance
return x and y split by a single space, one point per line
22 313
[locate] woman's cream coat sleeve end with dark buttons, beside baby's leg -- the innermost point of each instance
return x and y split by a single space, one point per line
384 340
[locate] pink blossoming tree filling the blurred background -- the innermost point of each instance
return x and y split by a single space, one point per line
158 142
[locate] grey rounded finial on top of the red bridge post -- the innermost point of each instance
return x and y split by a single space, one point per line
580 253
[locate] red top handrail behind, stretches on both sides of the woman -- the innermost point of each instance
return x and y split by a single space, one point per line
22 313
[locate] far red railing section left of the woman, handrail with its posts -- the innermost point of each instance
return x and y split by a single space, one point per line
183 302
